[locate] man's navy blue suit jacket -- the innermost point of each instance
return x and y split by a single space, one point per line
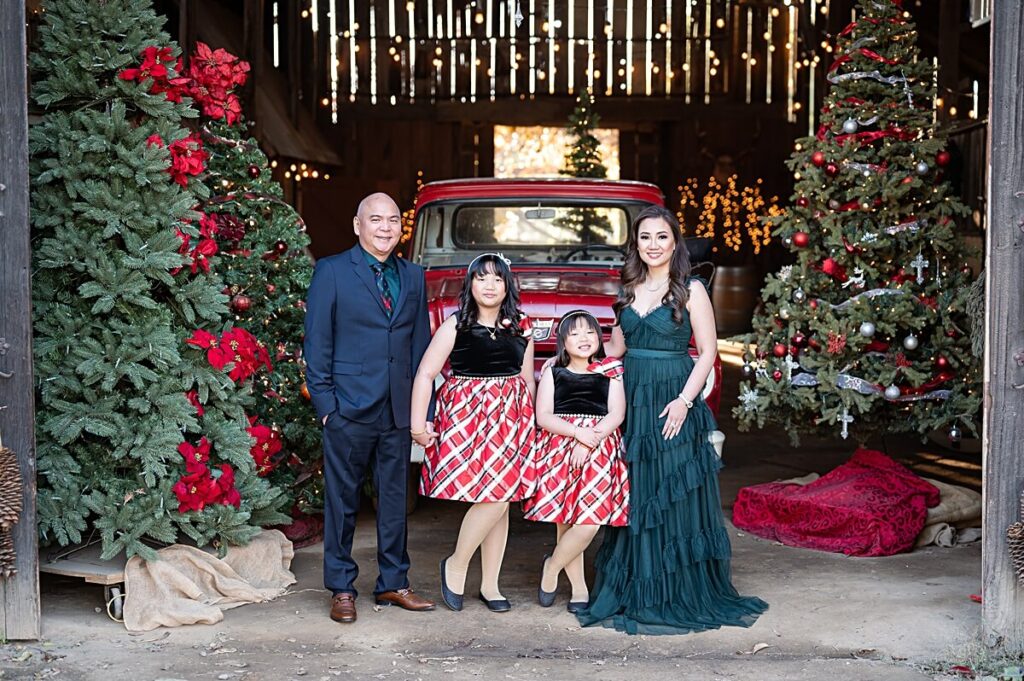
357 357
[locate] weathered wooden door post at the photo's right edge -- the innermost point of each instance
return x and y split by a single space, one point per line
1003 610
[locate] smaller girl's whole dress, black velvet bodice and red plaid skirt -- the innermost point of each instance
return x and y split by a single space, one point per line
599 494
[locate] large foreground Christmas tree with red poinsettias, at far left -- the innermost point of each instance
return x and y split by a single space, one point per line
144 382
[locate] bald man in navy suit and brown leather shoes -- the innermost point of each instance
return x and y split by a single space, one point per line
367 330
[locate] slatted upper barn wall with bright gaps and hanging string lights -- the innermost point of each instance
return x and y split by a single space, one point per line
395 52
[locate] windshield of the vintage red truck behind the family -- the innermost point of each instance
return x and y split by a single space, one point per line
454 234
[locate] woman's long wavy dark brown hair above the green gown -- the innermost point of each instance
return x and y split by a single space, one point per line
635 271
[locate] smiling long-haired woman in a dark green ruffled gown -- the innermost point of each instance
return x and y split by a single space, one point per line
668 572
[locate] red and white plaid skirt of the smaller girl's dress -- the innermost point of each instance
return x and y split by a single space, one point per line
599 494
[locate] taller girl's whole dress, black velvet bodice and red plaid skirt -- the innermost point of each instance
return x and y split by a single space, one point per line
485 421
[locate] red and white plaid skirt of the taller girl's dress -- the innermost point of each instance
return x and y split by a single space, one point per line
485 450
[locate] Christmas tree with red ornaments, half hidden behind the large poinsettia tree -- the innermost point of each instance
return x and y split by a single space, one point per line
263 244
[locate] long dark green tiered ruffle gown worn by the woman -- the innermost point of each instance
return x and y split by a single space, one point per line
668 572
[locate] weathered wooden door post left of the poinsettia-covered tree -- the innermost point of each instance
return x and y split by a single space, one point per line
20 594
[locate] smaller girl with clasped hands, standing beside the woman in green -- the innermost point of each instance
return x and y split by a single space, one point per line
582 479
